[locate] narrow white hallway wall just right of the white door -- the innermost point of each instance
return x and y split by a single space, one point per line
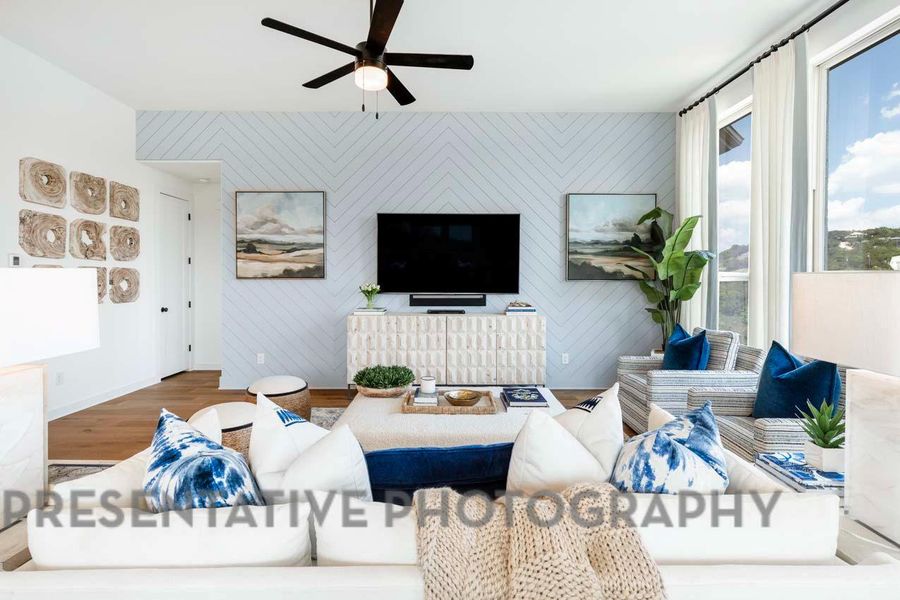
206 218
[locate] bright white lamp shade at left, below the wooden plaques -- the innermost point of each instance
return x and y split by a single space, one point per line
46 313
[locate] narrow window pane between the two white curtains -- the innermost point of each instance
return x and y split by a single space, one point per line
734 224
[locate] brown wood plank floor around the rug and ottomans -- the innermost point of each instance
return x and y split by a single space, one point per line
119 428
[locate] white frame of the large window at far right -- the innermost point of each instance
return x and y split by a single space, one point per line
819 213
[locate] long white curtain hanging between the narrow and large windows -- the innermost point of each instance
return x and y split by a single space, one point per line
771 192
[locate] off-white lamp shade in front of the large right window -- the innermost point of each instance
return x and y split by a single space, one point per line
850 318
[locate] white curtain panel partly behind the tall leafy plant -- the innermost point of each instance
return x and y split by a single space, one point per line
693 188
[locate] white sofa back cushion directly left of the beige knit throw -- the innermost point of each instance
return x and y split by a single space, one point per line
355 532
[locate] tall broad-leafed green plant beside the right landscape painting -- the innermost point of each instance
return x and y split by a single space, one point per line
677 270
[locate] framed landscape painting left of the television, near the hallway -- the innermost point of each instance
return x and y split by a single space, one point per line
280 235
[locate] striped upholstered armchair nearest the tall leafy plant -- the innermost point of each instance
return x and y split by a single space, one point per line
642 380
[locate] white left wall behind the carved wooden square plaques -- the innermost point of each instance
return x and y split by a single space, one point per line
49 114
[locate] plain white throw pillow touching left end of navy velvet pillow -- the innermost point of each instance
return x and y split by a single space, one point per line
335 463
